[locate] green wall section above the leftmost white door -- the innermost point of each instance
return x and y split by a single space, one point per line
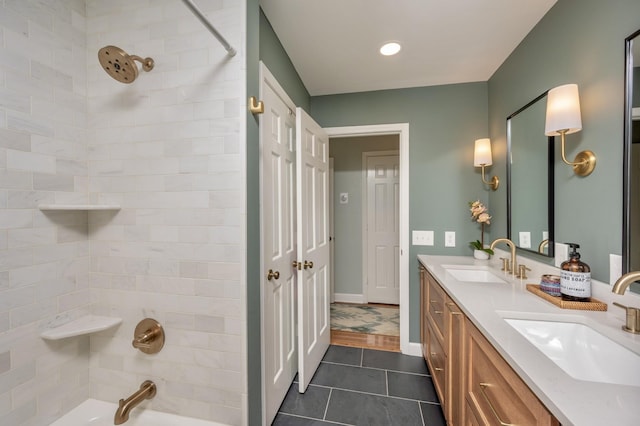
276 59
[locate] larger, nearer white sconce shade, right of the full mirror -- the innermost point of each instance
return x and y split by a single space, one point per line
563 110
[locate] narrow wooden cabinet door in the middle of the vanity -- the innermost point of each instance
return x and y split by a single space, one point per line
454 336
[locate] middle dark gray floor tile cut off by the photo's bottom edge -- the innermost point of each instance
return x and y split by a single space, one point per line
363 409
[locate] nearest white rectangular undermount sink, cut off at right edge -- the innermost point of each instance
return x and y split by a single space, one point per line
581 352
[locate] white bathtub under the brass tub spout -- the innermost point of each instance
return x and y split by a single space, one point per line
100 413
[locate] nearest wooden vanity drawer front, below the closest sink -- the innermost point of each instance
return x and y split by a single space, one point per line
494 392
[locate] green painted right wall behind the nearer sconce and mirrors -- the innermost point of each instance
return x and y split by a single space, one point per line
576 42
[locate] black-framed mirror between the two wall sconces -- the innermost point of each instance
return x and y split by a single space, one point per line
530 179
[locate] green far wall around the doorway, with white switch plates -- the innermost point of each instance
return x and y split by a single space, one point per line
444 121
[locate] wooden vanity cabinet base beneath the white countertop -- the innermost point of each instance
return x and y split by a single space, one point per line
476 386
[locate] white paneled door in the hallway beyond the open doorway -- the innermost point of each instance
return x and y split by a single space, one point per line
383 239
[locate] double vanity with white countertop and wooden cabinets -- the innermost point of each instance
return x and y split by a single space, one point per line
499 354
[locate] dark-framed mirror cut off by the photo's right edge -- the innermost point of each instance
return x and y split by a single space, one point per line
631 165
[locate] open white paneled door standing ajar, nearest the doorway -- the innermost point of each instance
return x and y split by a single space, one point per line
312 168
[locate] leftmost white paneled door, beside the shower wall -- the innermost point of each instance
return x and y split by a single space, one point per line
277 138
